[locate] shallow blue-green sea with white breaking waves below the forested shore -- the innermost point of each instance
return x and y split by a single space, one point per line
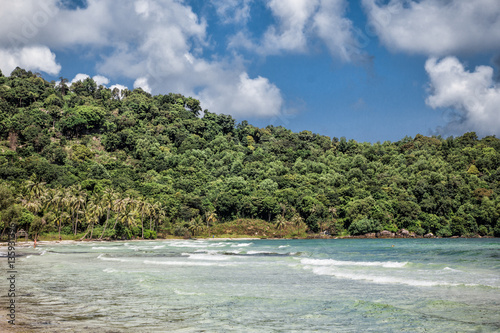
417 285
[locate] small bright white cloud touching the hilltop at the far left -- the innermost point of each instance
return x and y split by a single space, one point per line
35 58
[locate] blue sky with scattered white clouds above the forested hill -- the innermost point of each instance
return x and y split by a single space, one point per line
368 70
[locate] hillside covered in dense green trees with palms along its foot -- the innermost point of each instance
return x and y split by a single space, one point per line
81 158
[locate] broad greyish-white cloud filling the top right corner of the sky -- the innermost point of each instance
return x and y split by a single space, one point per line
436 27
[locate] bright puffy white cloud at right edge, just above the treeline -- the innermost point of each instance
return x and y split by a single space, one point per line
474 96
